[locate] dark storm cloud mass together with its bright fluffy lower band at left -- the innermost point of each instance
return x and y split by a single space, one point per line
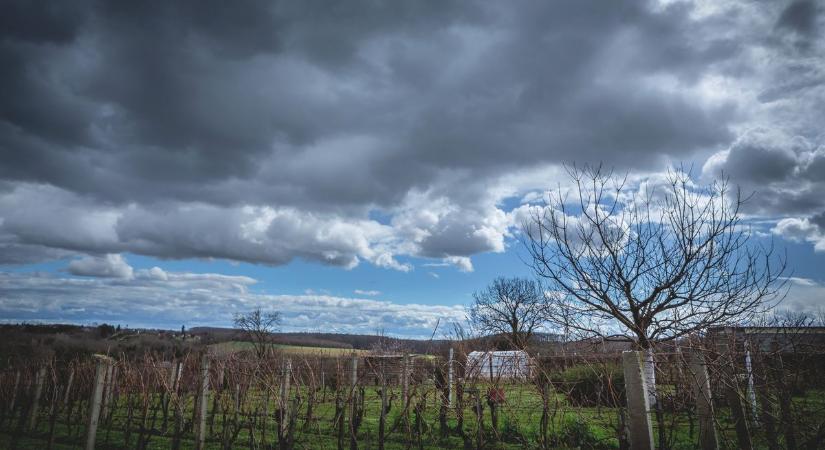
266 131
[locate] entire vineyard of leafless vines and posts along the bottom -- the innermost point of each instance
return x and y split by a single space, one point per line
706 396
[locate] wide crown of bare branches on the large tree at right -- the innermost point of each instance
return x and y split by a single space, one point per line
656 262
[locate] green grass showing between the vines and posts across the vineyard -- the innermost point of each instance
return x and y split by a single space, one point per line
518 427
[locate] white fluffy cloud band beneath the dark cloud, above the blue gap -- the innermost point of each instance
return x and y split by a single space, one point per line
424 225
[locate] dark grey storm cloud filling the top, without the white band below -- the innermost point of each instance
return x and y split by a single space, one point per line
170 94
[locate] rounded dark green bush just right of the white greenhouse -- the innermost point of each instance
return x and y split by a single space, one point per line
591 385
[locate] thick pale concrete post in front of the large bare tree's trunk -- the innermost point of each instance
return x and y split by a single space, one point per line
638 413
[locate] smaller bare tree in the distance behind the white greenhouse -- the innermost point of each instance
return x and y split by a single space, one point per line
514 307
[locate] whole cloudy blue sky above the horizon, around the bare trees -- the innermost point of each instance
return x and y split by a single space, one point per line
365 166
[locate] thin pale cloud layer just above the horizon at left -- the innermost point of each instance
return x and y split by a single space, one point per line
158 298
